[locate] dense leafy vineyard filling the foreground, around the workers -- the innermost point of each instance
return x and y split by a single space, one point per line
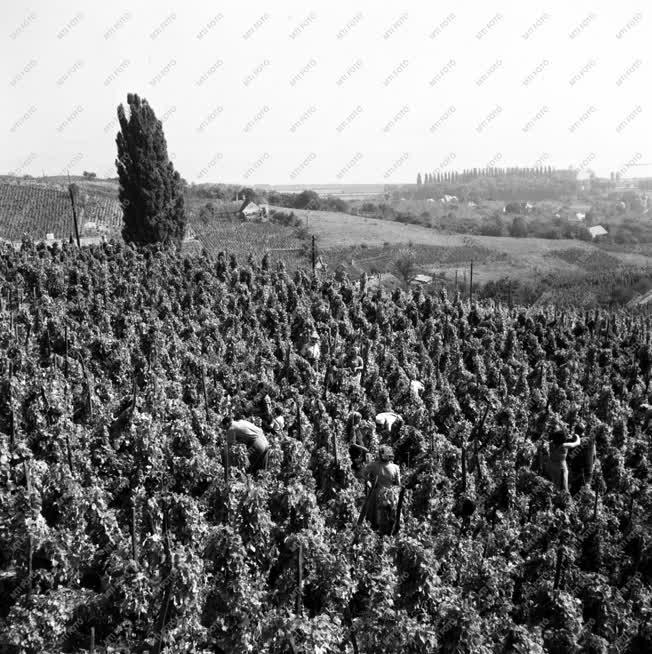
127 525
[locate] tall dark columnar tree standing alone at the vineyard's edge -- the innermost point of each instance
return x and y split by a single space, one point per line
151 191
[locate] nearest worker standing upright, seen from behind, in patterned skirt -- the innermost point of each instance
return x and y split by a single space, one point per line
381 503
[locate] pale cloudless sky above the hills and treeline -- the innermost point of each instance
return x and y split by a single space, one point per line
322 92
